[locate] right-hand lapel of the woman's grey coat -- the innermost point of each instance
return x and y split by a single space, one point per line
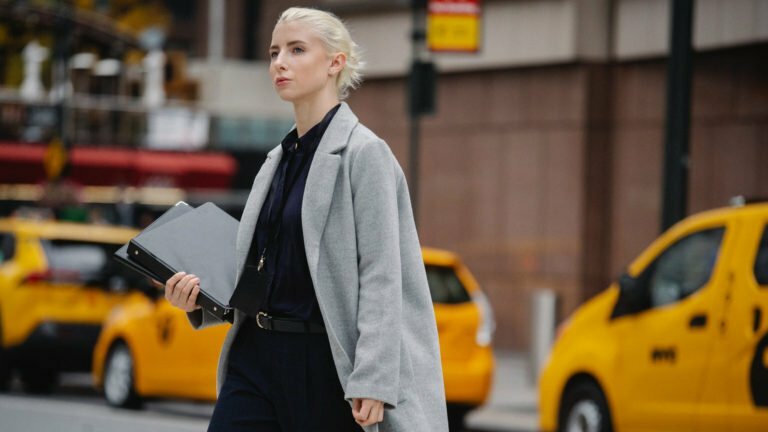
321 182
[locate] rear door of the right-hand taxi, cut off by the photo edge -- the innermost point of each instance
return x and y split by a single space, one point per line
737 386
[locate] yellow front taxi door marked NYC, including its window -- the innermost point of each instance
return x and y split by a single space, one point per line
665 348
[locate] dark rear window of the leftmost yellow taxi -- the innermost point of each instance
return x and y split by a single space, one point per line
87 263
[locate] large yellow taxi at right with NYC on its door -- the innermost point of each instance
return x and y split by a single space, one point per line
678 343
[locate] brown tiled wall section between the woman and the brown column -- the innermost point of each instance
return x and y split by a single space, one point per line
501 179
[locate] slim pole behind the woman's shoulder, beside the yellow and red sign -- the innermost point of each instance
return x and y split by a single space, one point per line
419 52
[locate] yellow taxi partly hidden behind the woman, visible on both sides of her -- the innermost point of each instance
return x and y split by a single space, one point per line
146 346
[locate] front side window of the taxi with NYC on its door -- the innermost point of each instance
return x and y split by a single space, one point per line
684 267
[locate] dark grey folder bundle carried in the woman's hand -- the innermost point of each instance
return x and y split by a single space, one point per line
201 242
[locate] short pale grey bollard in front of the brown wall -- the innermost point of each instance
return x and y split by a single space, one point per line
543 303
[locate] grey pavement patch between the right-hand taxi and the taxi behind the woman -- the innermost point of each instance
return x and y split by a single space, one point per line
513 402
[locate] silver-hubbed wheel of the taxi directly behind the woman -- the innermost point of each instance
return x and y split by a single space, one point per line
119 386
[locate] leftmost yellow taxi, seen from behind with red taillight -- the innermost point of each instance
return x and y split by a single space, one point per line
58 282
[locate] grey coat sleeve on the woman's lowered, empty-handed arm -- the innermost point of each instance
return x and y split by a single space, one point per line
376 370
